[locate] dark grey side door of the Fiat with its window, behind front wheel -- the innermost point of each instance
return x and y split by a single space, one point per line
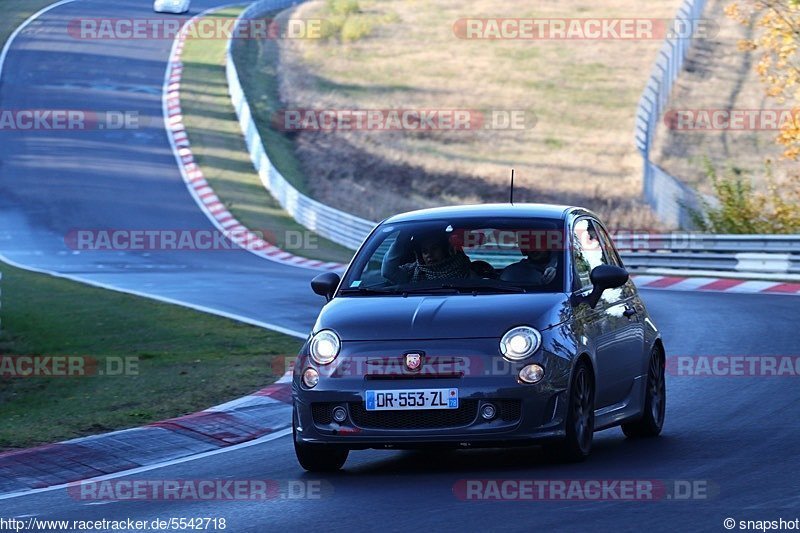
610 327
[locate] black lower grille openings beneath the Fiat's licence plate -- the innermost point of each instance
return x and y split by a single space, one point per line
507 411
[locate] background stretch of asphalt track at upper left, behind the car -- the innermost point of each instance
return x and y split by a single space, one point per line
53 182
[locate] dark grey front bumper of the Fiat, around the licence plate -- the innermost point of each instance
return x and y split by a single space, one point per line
525 413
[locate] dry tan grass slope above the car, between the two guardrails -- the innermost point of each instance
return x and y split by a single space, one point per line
583 94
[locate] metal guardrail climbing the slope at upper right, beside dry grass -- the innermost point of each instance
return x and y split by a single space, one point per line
669 197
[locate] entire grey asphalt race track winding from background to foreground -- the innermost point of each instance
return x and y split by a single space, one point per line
737 436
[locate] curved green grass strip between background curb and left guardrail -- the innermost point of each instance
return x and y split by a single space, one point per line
220 150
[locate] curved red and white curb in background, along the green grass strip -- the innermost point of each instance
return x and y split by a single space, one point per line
193 176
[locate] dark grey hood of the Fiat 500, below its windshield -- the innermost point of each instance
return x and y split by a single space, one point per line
461 316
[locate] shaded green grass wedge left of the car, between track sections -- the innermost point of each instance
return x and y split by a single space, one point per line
187 360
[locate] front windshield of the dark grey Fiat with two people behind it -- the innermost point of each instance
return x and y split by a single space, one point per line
476 256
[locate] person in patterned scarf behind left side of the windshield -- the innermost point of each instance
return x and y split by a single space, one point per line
434 259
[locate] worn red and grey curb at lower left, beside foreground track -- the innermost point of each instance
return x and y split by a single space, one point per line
256 416
